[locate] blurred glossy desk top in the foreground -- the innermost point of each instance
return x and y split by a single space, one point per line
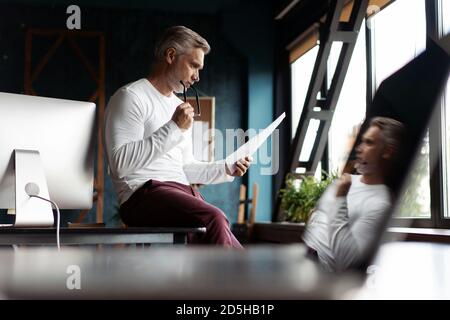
403 270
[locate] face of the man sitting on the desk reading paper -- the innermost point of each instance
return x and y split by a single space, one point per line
186 68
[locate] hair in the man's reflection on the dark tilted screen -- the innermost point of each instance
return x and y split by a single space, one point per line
393 132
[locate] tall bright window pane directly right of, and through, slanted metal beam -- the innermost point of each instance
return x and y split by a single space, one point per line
351 107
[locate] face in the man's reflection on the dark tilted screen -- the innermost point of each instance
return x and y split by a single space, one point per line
369 153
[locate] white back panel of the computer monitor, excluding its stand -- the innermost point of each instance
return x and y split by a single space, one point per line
62 132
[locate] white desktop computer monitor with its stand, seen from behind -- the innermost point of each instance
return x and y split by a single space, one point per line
46 145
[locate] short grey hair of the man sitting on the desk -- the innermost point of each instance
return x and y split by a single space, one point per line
182 39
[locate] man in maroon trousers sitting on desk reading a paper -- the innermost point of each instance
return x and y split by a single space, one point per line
148 136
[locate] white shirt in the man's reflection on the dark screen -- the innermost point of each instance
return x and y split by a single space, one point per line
343 229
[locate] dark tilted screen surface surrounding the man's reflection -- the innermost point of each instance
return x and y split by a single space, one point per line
410 96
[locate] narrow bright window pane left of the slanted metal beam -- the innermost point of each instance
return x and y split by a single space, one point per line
301 71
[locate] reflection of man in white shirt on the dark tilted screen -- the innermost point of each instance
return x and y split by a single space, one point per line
352 212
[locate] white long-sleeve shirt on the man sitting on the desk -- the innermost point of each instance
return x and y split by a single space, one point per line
143 143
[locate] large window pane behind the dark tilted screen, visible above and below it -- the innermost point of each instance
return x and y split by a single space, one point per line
399 35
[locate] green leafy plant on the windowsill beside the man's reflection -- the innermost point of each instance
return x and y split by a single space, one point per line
301 194
